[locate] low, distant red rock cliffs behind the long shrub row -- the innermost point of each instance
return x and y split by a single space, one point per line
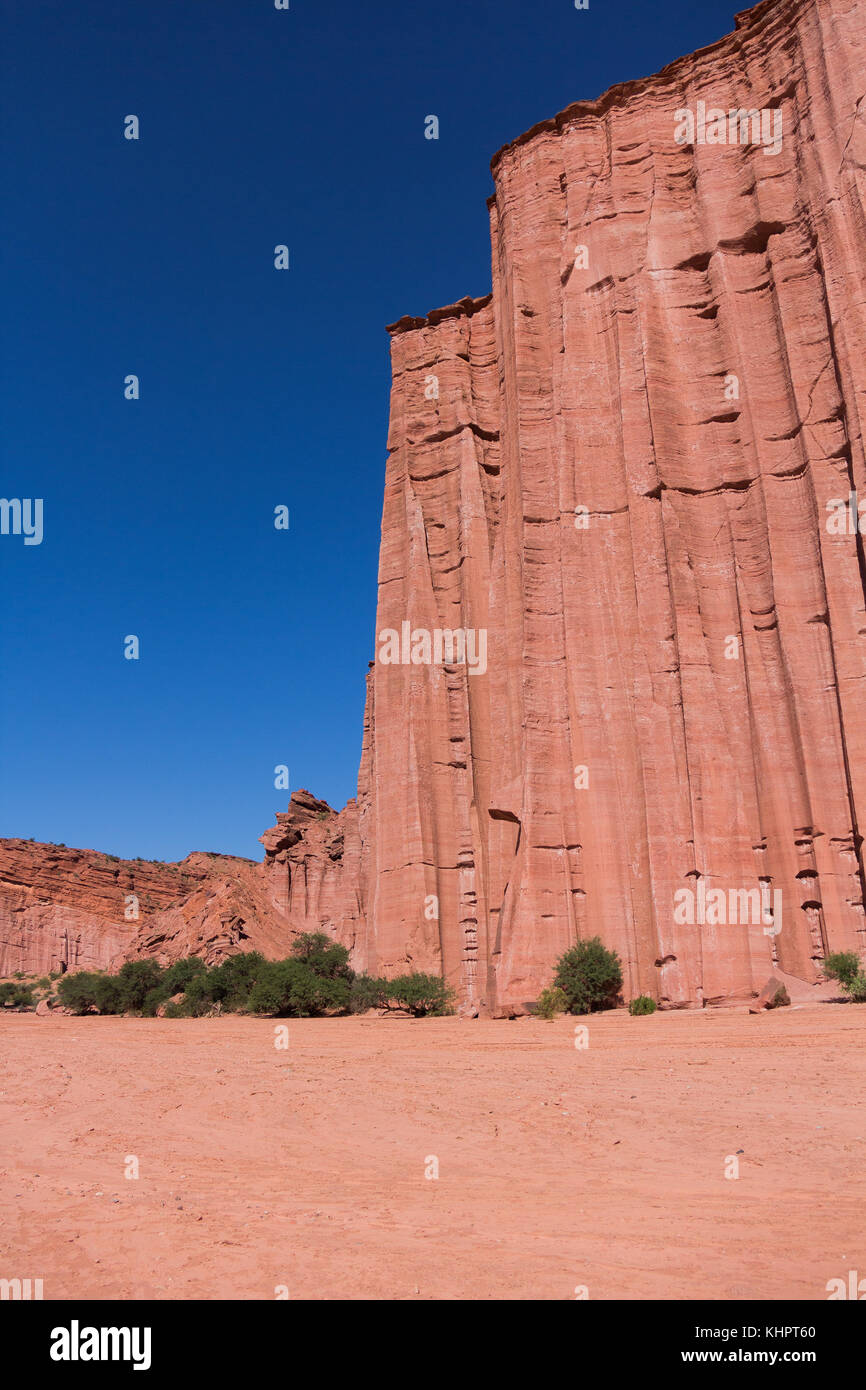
77 910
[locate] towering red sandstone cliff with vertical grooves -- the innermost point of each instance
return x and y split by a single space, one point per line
621 465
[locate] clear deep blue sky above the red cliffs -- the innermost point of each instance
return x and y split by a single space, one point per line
258 387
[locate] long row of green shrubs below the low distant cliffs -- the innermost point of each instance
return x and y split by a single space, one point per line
313 982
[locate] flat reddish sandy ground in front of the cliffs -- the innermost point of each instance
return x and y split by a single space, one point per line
558 1168
